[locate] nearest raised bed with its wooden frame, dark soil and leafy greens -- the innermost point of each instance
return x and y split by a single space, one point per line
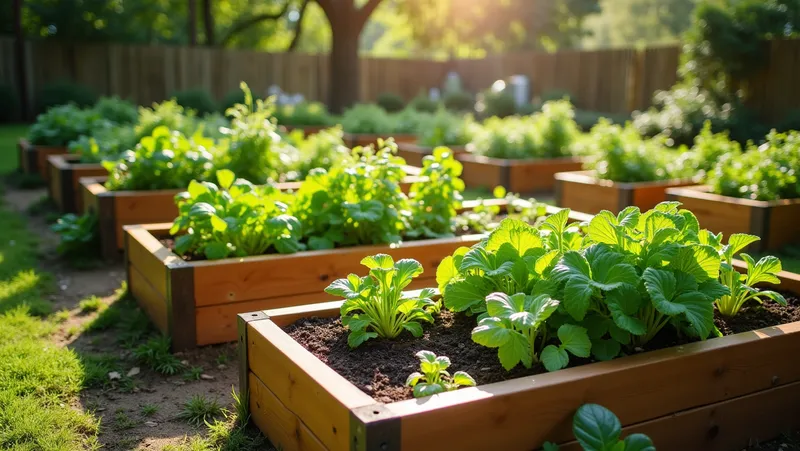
583 323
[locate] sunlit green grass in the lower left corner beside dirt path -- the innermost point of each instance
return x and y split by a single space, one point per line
39 381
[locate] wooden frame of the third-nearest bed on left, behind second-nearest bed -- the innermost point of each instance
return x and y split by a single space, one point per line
116 209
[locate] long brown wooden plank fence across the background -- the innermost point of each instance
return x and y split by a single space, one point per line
612 81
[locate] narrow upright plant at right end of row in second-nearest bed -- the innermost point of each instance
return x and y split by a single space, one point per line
435 200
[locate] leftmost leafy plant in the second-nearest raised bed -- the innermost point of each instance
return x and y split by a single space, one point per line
235 218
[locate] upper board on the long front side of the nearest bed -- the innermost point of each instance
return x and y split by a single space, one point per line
638 389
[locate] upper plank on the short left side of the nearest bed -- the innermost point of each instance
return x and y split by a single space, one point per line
303 384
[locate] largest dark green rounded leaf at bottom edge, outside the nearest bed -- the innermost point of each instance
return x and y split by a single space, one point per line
596 428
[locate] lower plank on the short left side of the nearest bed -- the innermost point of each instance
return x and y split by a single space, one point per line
283 428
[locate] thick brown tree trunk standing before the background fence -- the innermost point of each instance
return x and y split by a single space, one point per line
344 66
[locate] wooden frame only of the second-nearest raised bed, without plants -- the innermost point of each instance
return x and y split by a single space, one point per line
197 302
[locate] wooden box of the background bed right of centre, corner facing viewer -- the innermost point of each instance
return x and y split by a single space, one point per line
517 176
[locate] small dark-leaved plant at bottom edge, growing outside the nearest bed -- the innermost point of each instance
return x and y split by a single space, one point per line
598 429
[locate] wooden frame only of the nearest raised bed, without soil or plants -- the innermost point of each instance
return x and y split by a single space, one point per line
721 394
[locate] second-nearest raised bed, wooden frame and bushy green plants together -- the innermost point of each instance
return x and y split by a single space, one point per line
193 286
